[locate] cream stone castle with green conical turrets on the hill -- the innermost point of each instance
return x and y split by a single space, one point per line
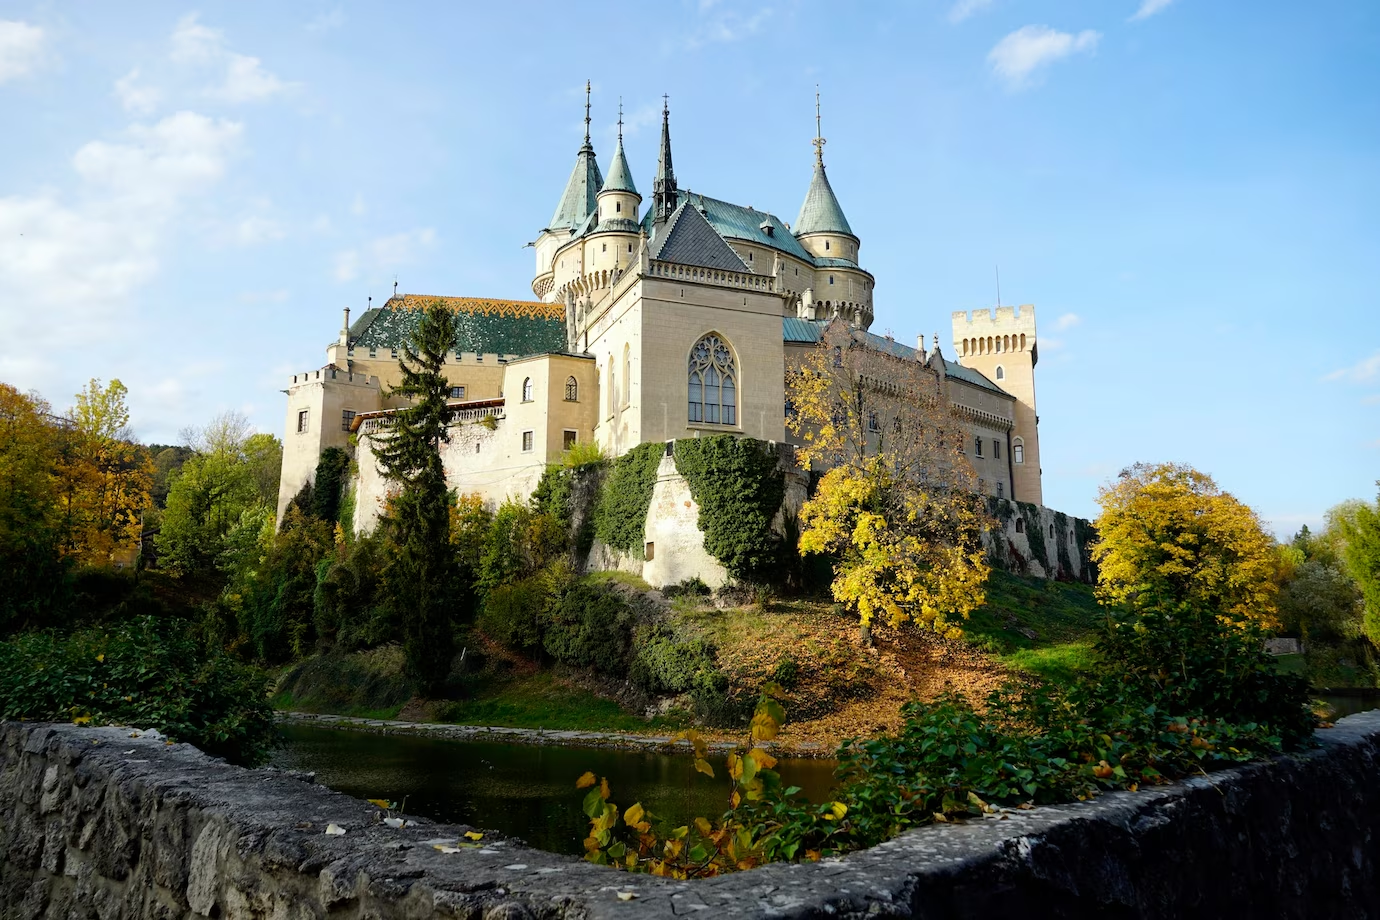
655 321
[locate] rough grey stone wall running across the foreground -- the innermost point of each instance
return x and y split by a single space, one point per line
99 824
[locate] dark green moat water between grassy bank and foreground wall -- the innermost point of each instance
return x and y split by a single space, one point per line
522 791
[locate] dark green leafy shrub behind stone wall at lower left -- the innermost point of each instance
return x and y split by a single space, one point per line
147 672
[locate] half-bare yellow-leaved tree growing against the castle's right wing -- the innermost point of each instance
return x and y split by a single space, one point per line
898 504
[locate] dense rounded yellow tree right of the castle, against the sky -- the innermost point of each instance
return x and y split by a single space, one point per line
1170 536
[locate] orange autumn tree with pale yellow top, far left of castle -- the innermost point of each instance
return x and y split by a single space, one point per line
104 478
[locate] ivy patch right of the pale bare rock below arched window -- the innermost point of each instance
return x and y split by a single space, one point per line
739 486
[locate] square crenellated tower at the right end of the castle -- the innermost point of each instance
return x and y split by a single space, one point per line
1005 351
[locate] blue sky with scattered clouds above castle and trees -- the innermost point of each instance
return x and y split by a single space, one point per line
1186 190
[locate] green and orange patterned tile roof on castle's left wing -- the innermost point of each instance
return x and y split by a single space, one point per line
482 326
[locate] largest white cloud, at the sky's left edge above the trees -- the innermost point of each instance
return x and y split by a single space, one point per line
77 259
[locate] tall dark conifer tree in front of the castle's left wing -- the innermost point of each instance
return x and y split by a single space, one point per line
422 576
